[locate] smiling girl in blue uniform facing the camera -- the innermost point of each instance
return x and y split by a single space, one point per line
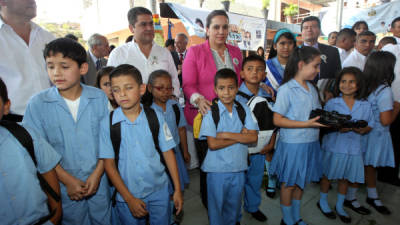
343 159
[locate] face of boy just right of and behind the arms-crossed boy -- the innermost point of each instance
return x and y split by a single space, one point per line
253 72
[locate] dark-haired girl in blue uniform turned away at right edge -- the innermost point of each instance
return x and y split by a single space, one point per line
379 74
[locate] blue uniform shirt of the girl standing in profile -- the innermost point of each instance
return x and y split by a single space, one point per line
295 103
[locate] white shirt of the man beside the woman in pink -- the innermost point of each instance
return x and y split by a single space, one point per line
159 58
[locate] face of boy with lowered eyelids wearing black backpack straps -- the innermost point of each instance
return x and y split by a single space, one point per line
126 91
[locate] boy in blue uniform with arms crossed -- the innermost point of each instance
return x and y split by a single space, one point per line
226 159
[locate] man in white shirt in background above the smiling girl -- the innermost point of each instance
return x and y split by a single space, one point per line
364 45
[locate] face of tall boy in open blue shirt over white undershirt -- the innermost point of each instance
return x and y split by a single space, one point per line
64 72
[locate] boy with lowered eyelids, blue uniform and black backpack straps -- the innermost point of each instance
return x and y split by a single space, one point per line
141 180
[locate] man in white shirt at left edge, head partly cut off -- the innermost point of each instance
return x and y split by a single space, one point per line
22 65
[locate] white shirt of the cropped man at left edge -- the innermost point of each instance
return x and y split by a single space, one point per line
22 66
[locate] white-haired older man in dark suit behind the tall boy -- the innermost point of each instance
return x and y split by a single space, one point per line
98 49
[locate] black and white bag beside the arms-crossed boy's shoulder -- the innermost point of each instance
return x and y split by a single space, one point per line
261 108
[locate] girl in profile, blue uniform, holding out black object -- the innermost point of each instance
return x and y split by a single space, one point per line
296 160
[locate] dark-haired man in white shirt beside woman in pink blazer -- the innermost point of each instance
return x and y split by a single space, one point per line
142 52
